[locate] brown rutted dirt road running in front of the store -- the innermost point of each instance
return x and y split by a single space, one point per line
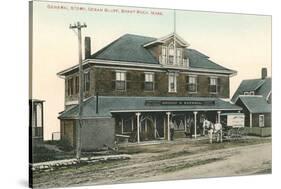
167 162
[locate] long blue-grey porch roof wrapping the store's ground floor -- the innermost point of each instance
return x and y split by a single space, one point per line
108 104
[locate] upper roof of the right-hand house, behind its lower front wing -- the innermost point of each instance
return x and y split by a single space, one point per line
259 86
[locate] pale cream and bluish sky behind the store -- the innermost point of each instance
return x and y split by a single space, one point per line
237 41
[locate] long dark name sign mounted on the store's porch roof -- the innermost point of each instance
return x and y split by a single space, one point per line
179 102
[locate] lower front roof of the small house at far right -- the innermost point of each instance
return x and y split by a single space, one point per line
256 104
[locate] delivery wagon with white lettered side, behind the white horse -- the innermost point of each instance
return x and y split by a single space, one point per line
233 125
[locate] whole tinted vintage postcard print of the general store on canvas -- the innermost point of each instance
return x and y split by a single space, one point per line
128 94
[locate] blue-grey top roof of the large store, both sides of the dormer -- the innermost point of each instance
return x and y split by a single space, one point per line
130 48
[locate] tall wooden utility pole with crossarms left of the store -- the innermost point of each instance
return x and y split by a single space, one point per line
79 26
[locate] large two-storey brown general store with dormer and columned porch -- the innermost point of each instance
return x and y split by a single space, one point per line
135 85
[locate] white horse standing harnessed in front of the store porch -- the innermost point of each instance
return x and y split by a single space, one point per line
213 129
